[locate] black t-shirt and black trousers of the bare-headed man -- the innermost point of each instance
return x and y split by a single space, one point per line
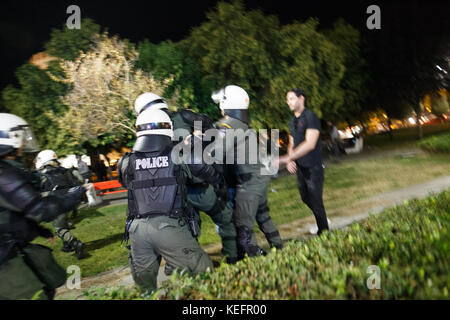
310 174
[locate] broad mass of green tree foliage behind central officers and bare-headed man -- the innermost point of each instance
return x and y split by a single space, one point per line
251 49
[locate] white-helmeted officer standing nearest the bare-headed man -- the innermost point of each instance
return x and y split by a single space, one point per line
251 185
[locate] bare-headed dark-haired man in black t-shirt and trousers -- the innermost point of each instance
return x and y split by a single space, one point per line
304 155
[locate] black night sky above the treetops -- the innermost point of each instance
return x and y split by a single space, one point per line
25 25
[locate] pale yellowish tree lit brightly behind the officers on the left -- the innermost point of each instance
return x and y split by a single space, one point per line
104 85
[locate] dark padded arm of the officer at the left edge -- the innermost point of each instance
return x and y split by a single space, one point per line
22 196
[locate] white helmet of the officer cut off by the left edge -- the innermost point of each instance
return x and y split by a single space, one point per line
16 133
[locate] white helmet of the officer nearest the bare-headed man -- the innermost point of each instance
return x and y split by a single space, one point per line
231 98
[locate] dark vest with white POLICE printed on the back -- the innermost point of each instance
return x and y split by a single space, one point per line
155 185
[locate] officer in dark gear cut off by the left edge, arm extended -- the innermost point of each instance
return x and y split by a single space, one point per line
25 268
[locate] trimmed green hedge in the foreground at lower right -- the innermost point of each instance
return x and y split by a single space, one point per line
409 244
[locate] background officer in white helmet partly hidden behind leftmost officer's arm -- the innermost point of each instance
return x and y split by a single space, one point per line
58 180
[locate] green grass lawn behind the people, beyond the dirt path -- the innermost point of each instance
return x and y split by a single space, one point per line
346 182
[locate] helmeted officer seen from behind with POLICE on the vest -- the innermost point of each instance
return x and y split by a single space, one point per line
161 221
